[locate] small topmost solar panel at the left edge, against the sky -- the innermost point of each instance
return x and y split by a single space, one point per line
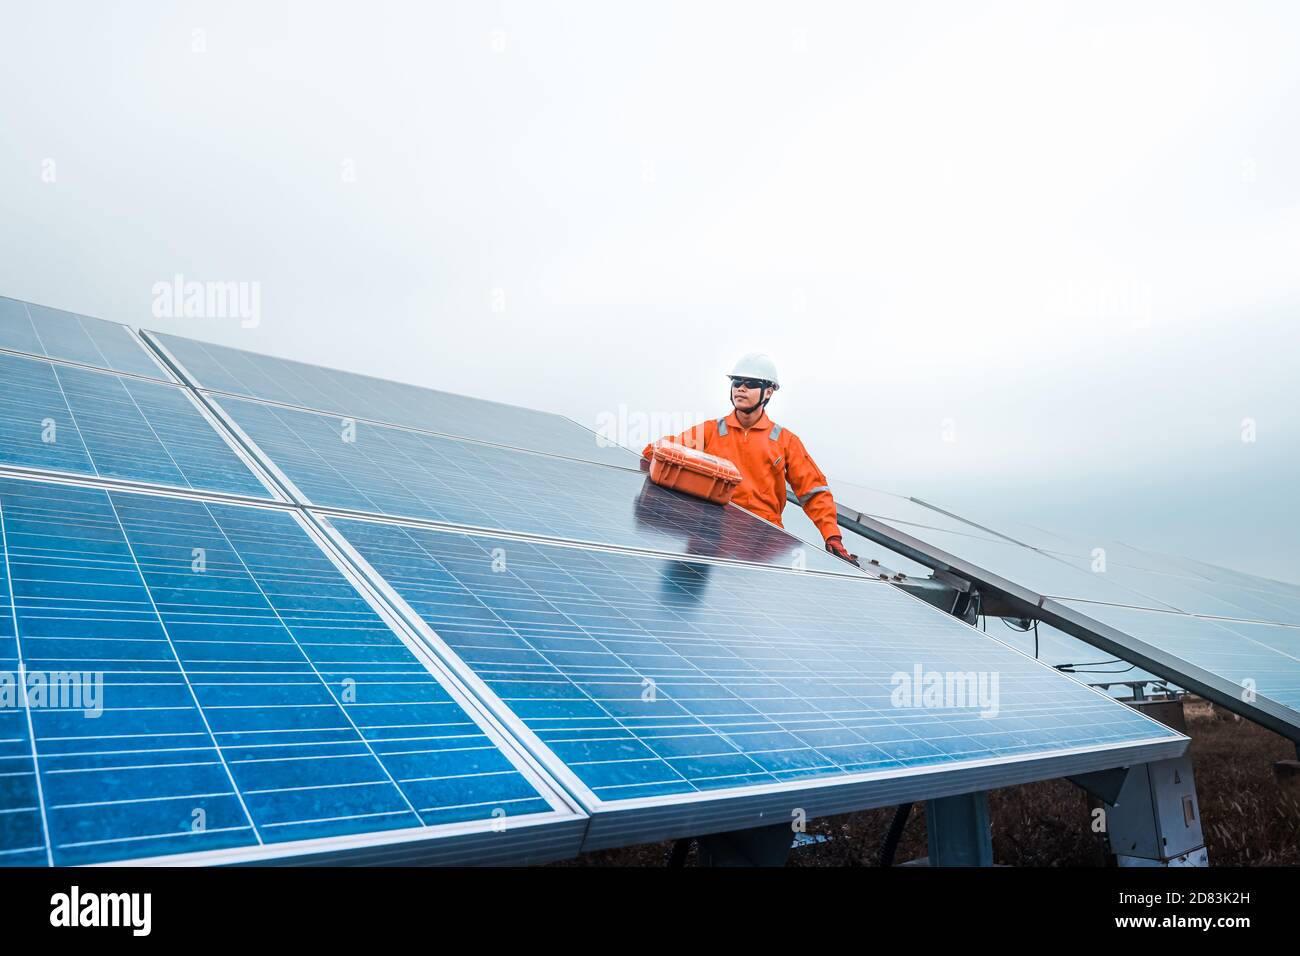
58 335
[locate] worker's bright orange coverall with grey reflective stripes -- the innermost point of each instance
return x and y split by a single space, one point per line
768 456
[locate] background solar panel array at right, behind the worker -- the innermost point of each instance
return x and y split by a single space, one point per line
1232 637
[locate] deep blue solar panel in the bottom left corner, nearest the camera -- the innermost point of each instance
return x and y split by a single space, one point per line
252 702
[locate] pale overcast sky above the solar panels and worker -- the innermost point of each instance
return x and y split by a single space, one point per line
1035 261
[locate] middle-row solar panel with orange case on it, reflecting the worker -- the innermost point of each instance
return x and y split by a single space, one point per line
393 471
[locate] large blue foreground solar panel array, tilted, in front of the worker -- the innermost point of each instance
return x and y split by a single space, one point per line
444 629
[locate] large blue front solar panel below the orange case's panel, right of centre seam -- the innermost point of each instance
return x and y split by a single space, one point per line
677 697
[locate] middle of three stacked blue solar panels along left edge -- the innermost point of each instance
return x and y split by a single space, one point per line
83 422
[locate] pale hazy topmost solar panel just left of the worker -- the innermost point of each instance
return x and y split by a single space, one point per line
348 393
